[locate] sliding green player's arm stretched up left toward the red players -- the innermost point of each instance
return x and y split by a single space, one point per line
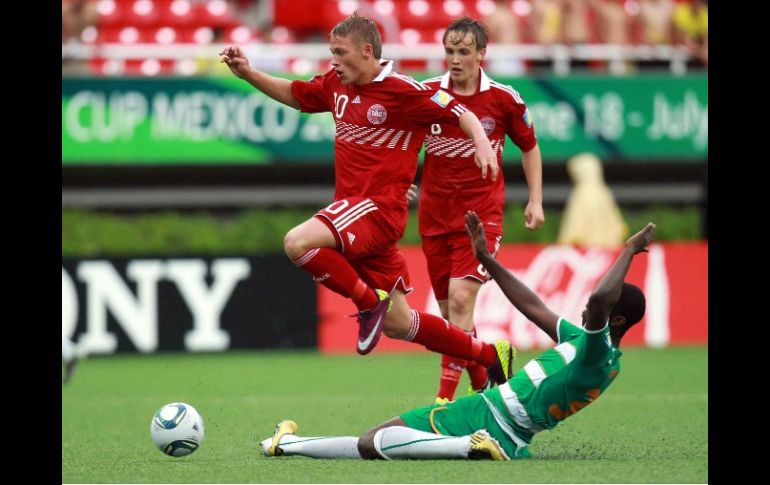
524 299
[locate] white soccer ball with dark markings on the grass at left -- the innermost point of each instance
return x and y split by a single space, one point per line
177 429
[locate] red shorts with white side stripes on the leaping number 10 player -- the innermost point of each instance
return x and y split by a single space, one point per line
368 242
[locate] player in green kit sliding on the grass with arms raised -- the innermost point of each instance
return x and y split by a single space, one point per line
499 423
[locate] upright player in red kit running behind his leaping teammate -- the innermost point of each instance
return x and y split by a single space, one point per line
451 186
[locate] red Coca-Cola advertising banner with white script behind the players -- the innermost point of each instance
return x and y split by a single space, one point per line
673 276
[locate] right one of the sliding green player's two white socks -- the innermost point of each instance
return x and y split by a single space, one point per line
399 442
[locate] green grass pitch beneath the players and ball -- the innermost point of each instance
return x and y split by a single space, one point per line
650 426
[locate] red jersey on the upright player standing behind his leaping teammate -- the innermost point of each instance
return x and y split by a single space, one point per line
451 181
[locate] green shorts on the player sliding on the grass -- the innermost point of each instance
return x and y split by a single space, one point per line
462 417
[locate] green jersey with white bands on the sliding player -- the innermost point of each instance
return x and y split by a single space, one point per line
557 384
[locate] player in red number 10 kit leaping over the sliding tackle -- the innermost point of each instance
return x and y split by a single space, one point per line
382 118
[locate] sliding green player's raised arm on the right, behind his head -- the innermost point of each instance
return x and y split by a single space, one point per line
607 291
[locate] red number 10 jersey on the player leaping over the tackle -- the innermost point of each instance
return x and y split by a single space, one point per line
380 128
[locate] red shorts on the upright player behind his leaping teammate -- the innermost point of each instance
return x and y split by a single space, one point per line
450 256
